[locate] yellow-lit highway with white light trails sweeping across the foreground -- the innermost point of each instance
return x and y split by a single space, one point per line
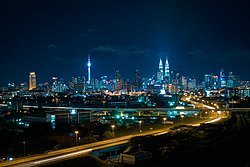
58 155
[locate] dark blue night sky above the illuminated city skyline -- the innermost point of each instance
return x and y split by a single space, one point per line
53 38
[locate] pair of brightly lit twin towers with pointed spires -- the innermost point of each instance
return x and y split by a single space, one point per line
163 74
